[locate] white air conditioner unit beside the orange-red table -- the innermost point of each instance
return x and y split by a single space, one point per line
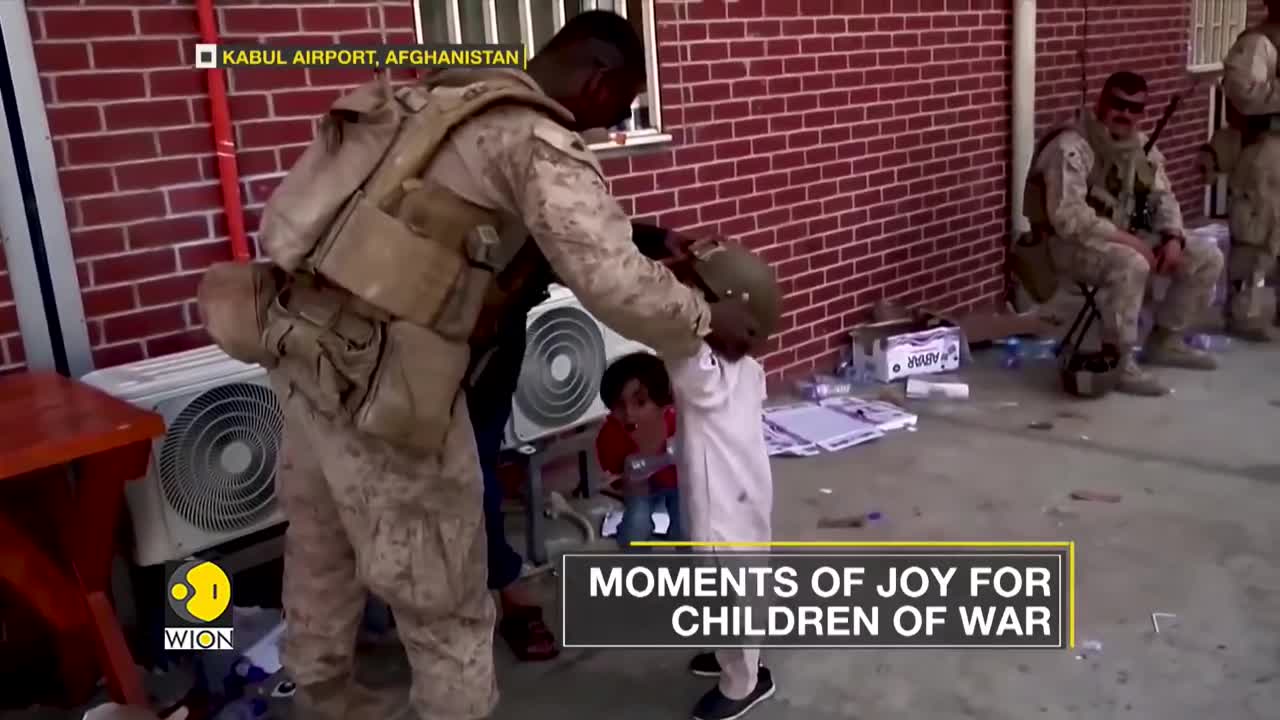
212 476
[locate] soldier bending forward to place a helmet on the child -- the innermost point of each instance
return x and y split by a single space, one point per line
388 234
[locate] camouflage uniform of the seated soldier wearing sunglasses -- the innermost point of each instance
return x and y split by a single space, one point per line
1082 252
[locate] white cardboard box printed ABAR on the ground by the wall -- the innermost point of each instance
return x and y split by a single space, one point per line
900 349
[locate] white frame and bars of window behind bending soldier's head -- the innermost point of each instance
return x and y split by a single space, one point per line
616 143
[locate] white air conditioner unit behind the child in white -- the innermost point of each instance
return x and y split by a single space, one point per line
566 352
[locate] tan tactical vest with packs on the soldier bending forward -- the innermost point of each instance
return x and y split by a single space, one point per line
378 279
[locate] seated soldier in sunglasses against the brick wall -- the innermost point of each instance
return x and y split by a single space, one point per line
1112 218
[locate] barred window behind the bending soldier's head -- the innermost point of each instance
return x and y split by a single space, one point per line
533 24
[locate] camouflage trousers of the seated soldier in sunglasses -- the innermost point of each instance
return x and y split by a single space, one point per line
1121 275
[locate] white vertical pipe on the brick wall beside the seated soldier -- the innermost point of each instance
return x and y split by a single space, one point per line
1023 112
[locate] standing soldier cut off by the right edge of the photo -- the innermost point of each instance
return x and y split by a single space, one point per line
1252 85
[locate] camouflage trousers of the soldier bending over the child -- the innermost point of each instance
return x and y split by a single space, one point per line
367 517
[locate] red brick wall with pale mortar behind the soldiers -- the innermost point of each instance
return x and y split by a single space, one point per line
862 145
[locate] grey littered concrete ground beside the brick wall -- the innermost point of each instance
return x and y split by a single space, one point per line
1195 535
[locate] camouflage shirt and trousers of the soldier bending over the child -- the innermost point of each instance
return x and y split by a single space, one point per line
365 514
